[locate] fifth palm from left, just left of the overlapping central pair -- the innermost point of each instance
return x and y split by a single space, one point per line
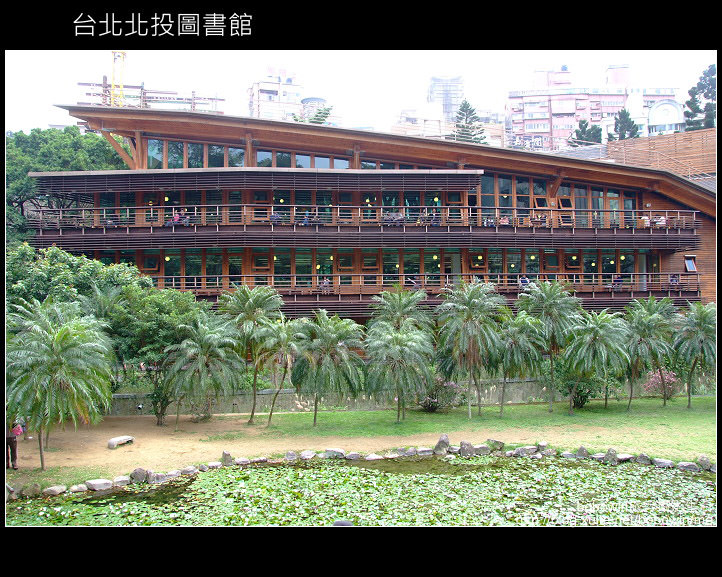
328 360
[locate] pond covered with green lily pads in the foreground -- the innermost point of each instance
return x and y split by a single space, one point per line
413 491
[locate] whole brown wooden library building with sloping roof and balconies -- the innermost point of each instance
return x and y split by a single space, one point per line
331 216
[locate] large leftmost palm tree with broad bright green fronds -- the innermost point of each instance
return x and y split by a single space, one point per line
58 366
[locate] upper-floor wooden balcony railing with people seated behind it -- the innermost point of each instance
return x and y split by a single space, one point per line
386 216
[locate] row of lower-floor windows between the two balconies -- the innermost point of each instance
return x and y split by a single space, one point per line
257 260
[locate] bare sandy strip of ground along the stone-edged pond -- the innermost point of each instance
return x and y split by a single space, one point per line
164 448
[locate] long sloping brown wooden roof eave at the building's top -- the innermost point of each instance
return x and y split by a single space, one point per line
303 136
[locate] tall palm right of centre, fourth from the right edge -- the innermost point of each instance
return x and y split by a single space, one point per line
558 310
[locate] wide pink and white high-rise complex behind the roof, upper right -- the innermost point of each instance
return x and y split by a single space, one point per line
547 115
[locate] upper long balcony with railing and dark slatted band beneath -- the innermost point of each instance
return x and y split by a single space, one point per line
138 227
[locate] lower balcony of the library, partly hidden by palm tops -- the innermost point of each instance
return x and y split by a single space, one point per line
353 292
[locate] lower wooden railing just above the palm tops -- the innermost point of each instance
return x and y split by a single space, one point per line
373 283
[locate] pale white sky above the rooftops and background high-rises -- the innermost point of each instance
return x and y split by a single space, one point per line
367 88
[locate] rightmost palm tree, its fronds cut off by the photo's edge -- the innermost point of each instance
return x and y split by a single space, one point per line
696 339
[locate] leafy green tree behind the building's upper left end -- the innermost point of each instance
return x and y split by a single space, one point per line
50 150
